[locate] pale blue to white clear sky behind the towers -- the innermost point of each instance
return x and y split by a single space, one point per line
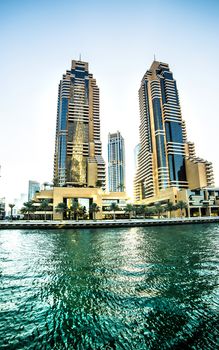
119 40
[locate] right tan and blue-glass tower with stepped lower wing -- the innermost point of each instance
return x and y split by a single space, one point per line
166 159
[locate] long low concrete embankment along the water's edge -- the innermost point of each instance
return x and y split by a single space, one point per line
33 224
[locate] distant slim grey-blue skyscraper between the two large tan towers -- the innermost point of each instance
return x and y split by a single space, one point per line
116 162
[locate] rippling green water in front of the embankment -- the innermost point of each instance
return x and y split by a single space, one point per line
136 288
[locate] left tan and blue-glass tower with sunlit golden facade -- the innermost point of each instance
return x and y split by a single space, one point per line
78 158
